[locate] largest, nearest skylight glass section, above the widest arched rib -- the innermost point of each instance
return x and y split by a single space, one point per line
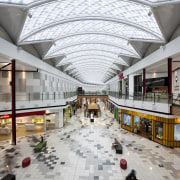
58 11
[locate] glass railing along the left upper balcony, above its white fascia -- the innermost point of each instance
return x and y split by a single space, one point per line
37 96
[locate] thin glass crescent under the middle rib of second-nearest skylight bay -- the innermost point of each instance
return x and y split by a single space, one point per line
84 47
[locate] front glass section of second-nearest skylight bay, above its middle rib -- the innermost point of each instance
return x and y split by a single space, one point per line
91 38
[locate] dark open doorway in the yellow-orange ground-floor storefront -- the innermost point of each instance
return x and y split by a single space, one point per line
146 128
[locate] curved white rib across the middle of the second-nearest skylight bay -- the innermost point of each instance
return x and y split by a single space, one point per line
95 43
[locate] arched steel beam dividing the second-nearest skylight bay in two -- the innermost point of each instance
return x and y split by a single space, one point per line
73 45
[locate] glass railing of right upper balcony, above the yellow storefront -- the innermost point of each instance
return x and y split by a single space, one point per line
149 97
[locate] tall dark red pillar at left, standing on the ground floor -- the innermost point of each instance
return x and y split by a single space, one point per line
13 92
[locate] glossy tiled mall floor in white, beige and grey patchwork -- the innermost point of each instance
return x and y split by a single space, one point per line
82 151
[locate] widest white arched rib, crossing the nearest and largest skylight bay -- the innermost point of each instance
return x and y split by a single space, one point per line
79 19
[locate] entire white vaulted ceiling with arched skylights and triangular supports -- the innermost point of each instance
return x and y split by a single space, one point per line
90 37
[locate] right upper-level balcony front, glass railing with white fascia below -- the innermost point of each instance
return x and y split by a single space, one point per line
152 102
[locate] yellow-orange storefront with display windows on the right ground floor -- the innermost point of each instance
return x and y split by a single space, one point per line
161 130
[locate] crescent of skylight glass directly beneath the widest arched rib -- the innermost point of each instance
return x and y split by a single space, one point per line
89 26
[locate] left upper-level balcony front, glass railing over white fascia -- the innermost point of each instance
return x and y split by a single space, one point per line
25 101
